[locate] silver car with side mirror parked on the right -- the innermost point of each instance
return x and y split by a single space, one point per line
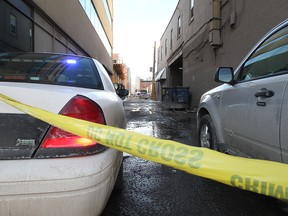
248 114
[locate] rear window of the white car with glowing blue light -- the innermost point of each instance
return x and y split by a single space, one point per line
56 69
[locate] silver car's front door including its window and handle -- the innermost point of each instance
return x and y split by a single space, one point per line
251 108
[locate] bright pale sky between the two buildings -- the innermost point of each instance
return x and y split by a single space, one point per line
137 24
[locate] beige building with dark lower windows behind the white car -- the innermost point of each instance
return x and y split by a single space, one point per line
83 27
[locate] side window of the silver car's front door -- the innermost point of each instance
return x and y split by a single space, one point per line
269 59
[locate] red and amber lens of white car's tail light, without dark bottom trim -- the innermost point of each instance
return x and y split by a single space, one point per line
78 107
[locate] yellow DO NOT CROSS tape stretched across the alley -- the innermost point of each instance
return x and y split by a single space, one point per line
259 176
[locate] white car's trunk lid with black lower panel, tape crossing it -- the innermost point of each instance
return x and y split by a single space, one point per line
20 134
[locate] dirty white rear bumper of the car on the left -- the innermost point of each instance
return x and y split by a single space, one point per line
66 186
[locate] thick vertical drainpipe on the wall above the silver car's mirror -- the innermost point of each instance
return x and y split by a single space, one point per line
215 23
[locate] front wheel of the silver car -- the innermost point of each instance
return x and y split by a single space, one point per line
207 135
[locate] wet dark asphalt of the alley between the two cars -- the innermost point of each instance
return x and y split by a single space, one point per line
154 189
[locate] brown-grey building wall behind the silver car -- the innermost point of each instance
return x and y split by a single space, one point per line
205 34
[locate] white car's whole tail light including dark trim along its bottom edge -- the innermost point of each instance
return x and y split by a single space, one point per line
70 144
